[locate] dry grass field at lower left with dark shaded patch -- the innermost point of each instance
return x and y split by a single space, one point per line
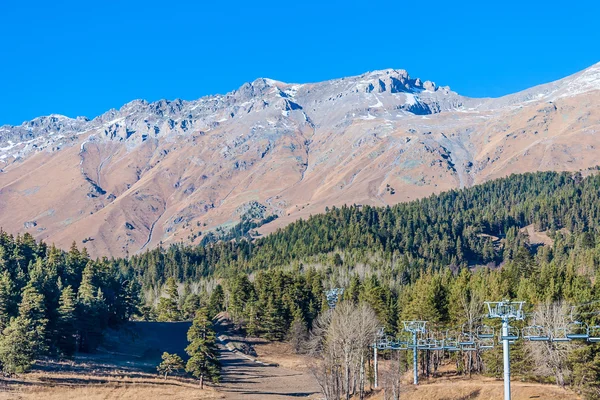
123 368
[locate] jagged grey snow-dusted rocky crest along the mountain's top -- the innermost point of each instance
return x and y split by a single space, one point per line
142 119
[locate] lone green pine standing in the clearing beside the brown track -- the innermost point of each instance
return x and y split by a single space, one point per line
203 362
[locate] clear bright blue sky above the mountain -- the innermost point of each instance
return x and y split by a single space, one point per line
85 57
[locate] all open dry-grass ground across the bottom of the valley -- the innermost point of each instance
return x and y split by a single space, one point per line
125 369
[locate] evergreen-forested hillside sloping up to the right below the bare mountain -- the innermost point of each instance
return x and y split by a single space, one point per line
452 229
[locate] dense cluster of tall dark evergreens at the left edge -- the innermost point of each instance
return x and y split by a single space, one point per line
55 303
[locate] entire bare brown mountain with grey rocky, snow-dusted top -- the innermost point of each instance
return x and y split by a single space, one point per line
169 171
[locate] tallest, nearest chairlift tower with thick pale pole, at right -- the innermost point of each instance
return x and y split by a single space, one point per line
506 310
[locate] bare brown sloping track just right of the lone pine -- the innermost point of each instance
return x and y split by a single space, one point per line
242 377
